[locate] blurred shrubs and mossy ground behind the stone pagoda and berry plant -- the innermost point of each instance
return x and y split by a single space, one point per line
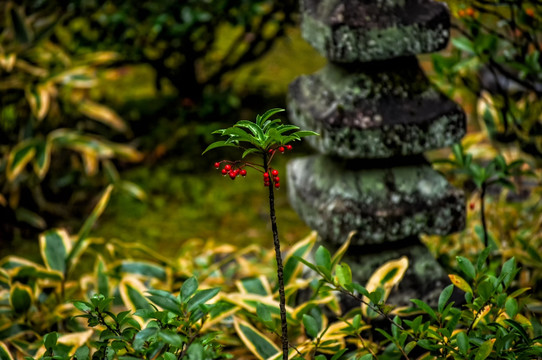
107 92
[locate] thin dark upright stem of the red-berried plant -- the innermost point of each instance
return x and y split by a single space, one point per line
280 270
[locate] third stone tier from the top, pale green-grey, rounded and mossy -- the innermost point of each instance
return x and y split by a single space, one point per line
383 202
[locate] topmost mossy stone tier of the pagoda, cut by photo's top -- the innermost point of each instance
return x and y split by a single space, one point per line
354 30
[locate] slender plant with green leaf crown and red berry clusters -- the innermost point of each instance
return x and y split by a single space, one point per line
262 138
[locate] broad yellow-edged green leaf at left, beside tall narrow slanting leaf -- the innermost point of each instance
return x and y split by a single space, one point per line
55 246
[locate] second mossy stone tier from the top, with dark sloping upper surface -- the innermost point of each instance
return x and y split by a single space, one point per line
374 110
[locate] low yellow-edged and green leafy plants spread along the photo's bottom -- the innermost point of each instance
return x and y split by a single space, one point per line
152 306
